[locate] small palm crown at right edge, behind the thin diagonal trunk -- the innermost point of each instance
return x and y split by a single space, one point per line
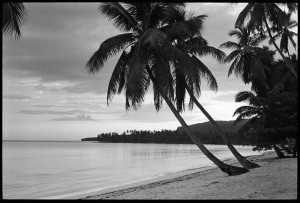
285 33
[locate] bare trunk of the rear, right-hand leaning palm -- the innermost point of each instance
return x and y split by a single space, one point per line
243 161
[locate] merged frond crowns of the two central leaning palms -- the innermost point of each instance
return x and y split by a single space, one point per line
154 42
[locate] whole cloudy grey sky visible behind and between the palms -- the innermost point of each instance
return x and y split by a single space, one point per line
49 95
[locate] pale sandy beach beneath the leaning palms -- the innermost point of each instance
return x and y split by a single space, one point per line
275 179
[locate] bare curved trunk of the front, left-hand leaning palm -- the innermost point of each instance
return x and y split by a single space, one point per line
230 170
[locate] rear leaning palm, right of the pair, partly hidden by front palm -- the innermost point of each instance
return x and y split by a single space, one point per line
197 46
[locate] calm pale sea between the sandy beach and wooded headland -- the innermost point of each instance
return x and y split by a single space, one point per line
32 170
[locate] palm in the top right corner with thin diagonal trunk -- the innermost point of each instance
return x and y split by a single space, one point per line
260 14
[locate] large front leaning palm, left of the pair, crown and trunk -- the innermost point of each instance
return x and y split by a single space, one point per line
147 53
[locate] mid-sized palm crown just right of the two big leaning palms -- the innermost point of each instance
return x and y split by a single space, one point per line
244 51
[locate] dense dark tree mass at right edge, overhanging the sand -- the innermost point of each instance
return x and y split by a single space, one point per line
272 110
